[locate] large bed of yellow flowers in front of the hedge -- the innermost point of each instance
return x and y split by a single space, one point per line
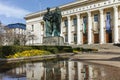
29 53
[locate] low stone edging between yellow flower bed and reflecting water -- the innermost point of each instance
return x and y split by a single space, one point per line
36 58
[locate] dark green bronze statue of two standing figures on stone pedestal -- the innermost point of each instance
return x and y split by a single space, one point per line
52 22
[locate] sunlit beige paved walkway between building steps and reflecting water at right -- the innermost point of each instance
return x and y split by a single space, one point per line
111 58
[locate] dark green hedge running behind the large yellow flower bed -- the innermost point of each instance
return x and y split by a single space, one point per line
10 50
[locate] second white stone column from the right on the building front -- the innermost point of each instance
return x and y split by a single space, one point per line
101 27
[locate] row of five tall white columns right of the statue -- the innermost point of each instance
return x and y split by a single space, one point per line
102 26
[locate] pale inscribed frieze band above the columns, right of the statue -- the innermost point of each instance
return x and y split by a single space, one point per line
90 7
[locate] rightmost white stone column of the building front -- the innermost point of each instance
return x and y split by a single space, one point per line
116 34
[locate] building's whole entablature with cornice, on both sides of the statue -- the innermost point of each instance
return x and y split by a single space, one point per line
78 8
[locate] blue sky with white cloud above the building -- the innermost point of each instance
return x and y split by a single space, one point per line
14 11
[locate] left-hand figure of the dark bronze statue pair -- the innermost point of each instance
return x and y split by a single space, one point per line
48 22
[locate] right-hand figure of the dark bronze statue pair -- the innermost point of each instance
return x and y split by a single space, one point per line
56 22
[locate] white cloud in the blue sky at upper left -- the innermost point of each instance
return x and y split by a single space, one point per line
8 10
